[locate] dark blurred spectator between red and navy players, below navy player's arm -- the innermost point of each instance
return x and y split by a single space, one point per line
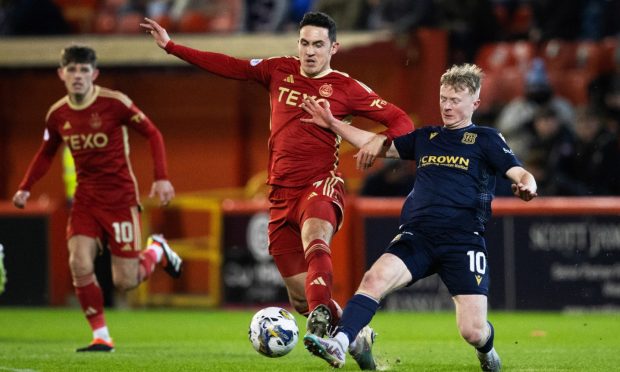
394 178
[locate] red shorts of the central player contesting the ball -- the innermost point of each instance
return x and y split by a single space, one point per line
290 208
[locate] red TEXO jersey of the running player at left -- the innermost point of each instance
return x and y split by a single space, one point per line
96 134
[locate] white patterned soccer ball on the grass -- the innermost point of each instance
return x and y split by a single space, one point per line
273 332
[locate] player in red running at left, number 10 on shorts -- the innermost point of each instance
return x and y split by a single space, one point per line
92 121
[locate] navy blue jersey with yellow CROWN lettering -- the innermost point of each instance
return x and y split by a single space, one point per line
455 179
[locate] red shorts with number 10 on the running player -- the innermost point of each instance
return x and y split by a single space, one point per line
119 229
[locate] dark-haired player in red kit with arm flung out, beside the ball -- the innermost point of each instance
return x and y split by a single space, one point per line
307 192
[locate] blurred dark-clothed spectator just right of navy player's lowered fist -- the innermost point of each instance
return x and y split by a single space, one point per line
550 152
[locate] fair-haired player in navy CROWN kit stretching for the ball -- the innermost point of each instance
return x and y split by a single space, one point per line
443 219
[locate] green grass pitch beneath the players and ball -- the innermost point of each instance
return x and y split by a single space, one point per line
43 339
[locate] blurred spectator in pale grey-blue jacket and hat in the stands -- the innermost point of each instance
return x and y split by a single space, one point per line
513 119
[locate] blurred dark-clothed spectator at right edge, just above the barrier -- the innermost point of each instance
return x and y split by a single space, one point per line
593 164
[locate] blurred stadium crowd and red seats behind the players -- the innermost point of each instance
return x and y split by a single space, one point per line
552 68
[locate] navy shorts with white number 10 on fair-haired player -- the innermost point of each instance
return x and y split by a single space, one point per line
460 258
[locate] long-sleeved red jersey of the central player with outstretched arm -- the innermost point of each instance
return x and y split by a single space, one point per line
301 153
